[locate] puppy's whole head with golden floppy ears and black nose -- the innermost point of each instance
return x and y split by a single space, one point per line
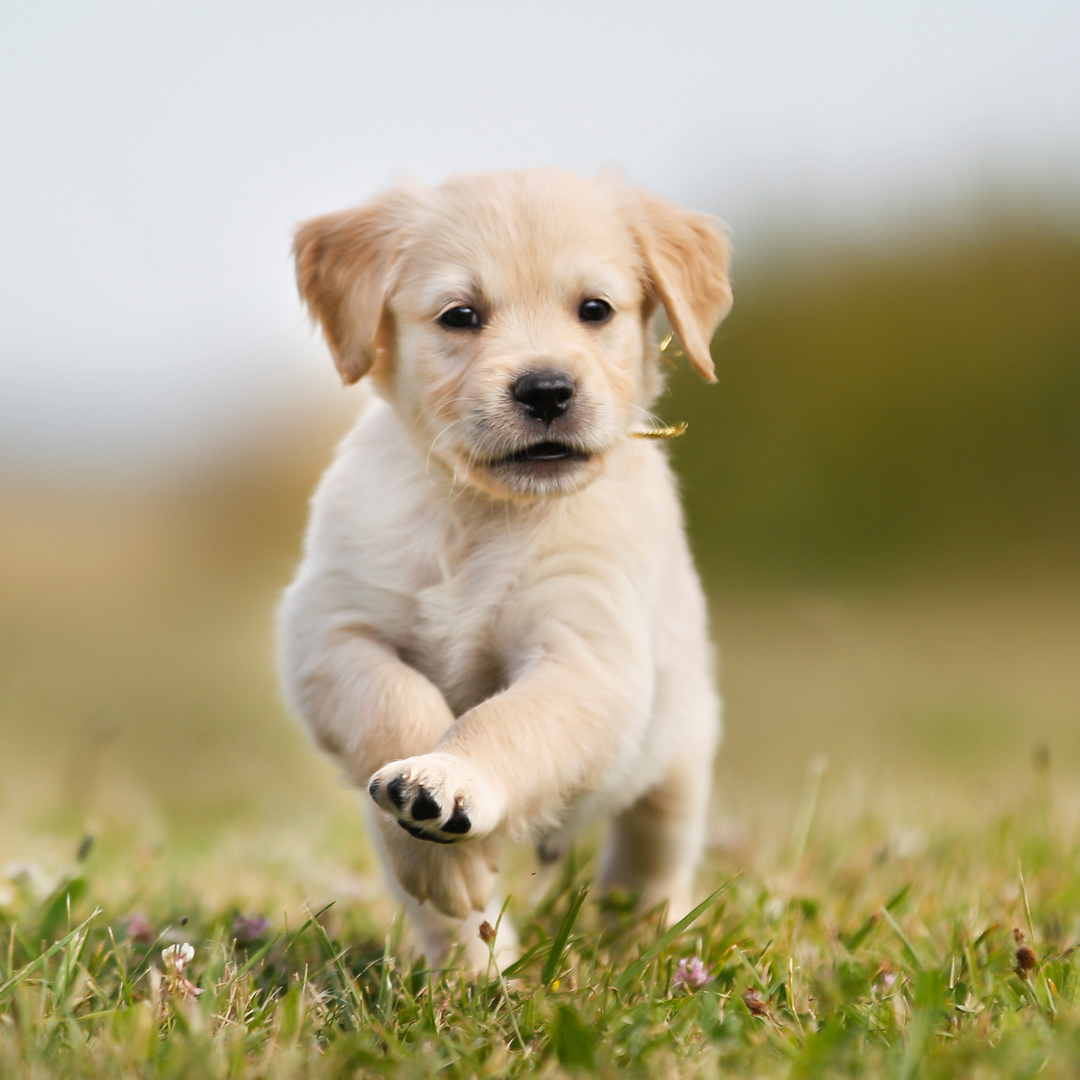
508 317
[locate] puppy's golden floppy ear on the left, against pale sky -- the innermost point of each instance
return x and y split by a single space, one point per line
345 266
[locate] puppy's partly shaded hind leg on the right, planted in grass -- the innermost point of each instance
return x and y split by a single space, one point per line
656 844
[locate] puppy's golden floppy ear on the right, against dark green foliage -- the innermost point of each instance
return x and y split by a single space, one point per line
686 255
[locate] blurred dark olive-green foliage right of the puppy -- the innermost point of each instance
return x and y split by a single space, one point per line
883 412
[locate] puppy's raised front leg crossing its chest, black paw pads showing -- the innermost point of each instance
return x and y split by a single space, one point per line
566 725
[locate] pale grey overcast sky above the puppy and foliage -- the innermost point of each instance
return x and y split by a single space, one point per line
155 158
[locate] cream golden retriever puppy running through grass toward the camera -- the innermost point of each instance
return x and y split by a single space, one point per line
497 629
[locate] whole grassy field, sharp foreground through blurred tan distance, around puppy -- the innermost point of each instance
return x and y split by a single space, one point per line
155 794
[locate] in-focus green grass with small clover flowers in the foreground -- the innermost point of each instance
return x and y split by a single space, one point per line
873 953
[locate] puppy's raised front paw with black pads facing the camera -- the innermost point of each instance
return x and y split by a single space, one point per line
437 798
